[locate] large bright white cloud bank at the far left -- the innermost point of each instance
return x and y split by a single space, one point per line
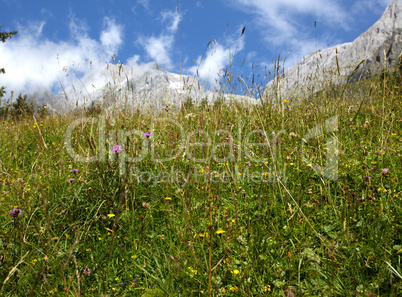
32 60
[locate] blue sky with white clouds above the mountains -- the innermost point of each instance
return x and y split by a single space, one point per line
143 31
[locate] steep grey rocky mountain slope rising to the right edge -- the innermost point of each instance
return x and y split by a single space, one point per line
367 55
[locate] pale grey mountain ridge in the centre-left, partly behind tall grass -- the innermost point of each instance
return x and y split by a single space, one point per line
149 88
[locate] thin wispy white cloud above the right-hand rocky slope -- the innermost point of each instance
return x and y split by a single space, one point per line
281 21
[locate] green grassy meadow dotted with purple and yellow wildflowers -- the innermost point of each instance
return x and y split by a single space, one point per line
302 197
